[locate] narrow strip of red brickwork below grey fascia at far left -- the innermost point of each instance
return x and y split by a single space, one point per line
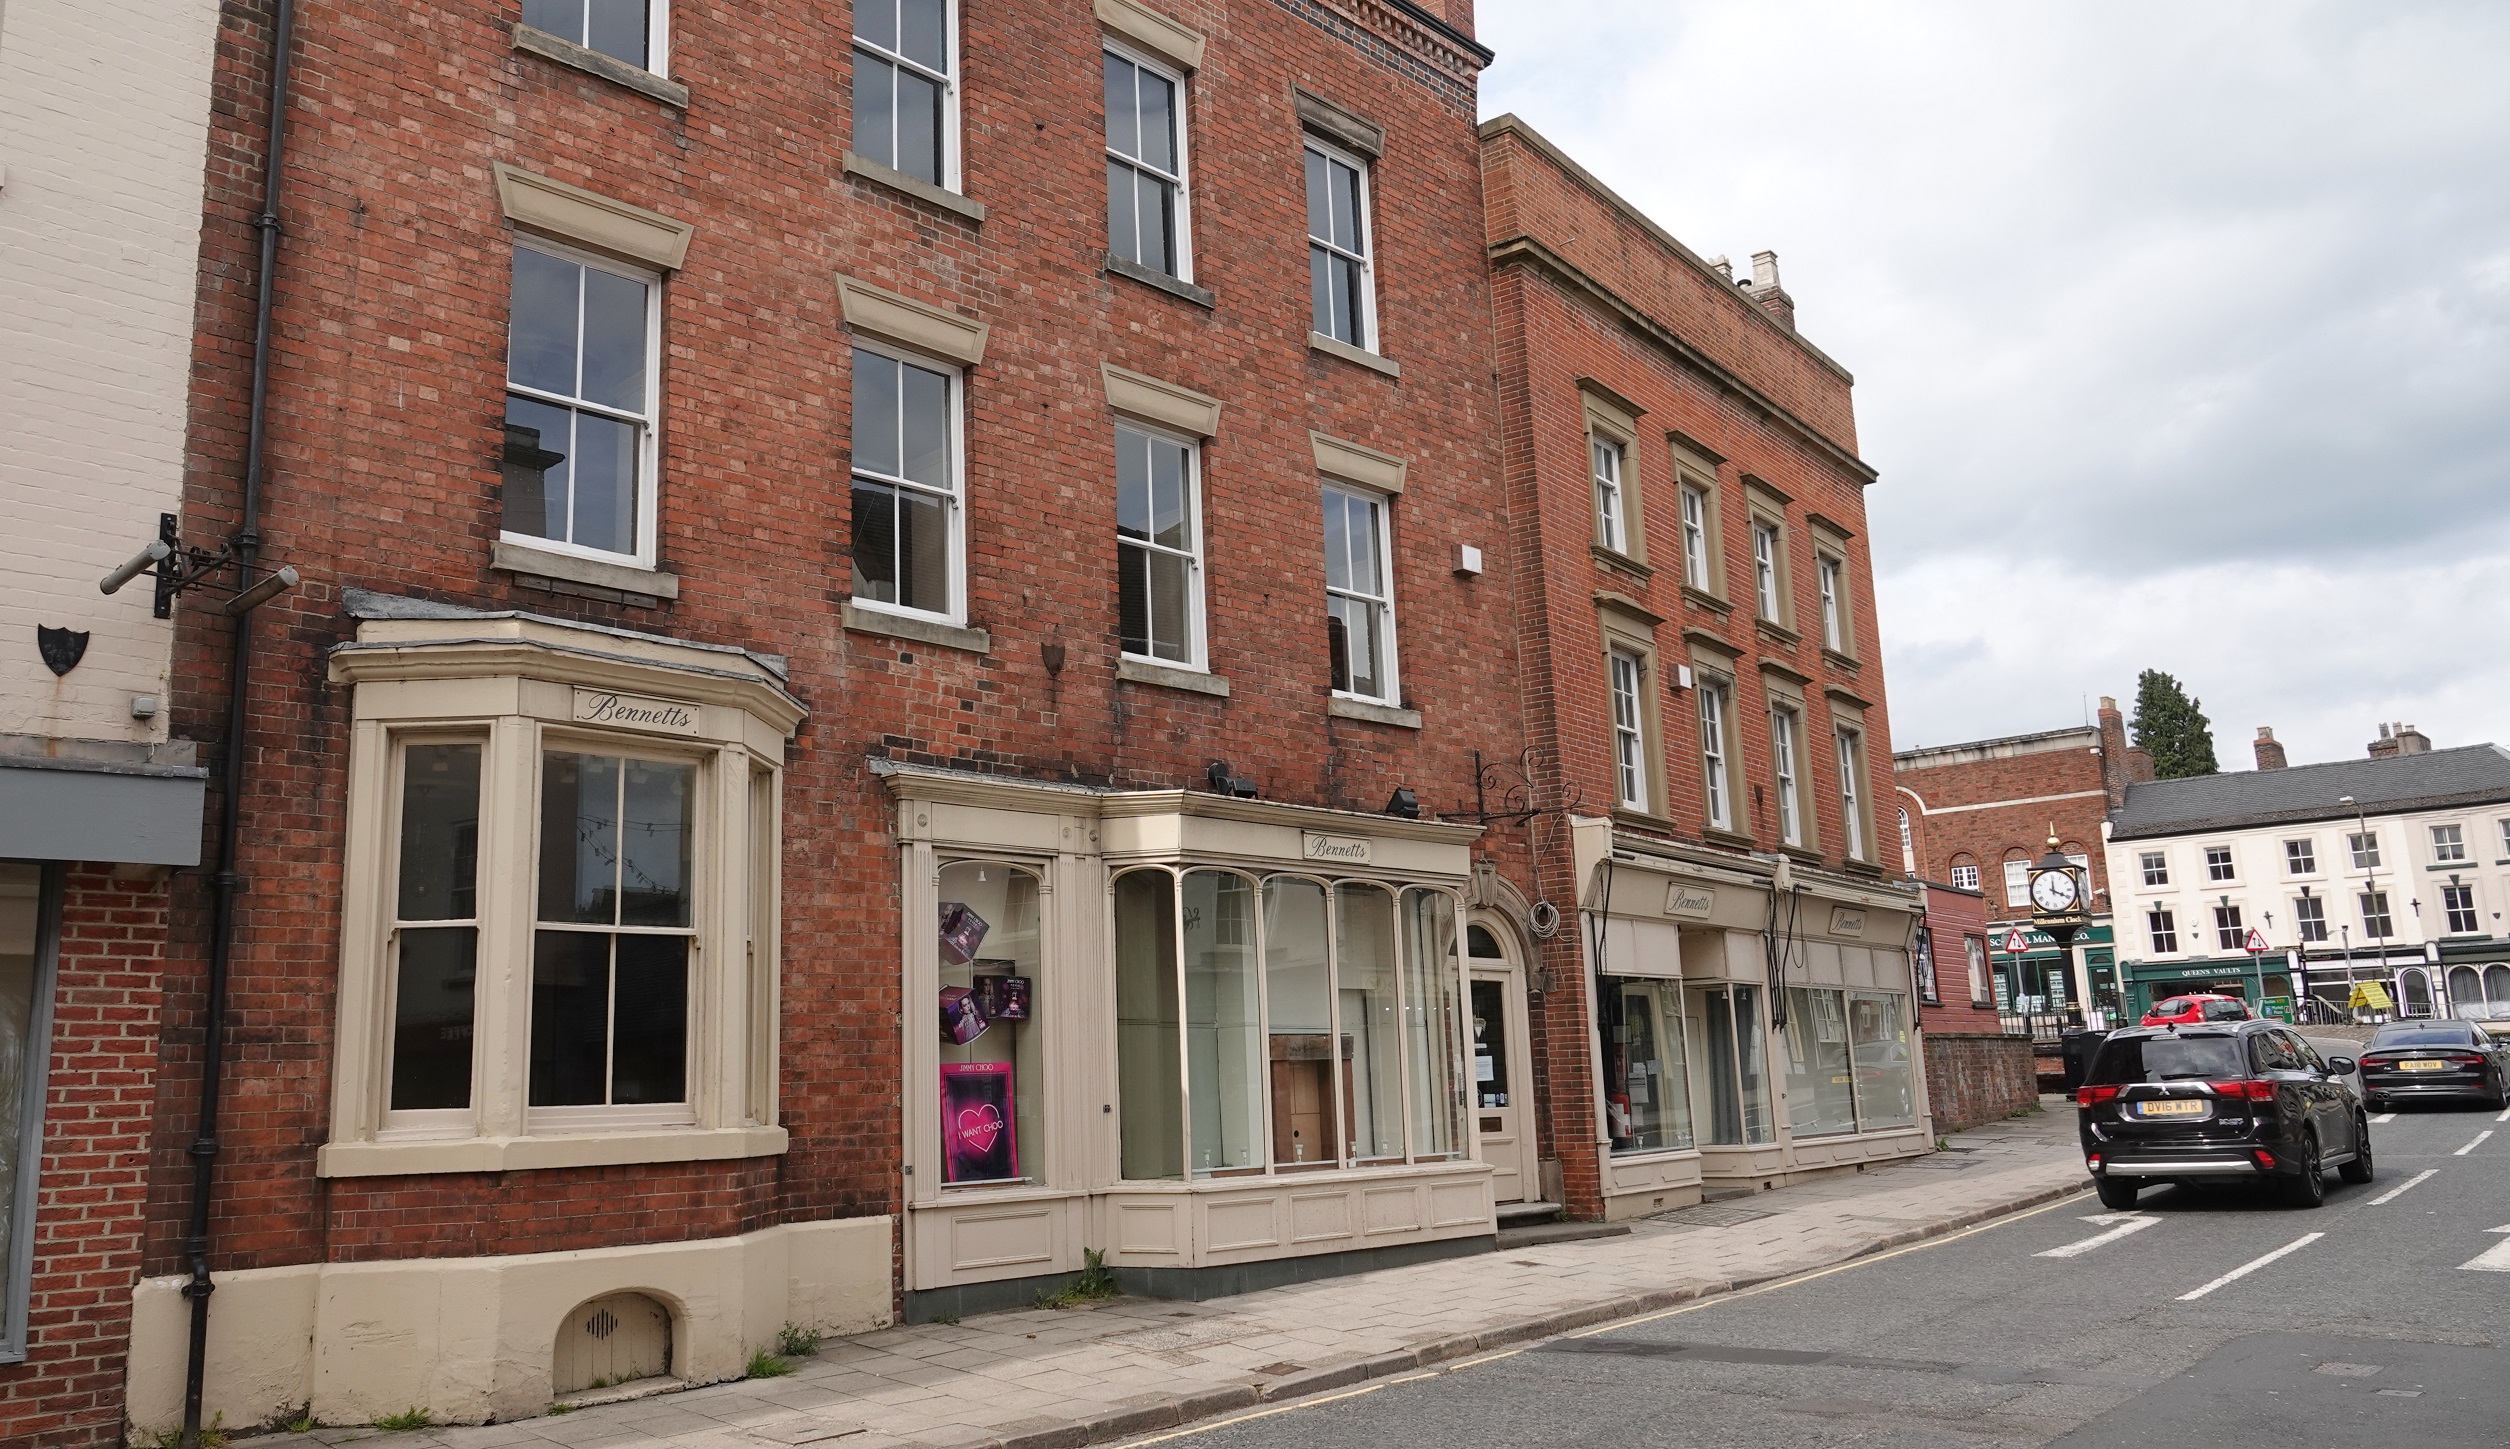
92 1202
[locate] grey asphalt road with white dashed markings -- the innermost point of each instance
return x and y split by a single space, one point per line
2208 1317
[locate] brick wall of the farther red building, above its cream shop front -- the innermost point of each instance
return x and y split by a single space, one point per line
1598 295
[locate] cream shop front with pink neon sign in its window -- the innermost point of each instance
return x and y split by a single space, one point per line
1219 1043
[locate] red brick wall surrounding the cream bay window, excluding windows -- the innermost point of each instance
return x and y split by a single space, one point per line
385 473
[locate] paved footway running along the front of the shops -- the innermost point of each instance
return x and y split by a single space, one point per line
1058 1380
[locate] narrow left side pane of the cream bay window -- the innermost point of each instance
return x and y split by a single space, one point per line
435 935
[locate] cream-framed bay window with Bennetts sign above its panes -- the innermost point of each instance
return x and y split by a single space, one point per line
561 900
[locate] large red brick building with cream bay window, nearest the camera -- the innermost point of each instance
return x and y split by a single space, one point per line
1030 471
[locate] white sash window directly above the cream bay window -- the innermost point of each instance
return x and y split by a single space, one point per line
581 403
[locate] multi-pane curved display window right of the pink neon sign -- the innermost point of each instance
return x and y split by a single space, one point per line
1284 1026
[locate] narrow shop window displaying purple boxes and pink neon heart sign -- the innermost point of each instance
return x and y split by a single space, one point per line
993 1056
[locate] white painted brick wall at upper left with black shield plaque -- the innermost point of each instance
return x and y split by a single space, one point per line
104 129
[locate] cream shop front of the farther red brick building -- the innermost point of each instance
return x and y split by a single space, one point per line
1746 1036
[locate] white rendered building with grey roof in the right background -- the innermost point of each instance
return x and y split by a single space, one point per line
2310 880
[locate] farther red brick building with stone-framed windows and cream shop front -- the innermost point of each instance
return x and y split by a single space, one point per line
1706 704
